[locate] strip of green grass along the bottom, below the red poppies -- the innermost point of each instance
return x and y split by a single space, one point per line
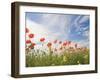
48 59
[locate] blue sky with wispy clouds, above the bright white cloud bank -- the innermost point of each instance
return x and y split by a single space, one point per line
62 26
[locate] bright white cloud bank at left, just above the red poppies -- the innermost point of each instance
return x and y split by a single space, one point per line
41 31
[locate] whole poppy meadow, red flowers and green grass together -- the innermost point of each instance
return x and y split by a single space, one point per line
55 52
